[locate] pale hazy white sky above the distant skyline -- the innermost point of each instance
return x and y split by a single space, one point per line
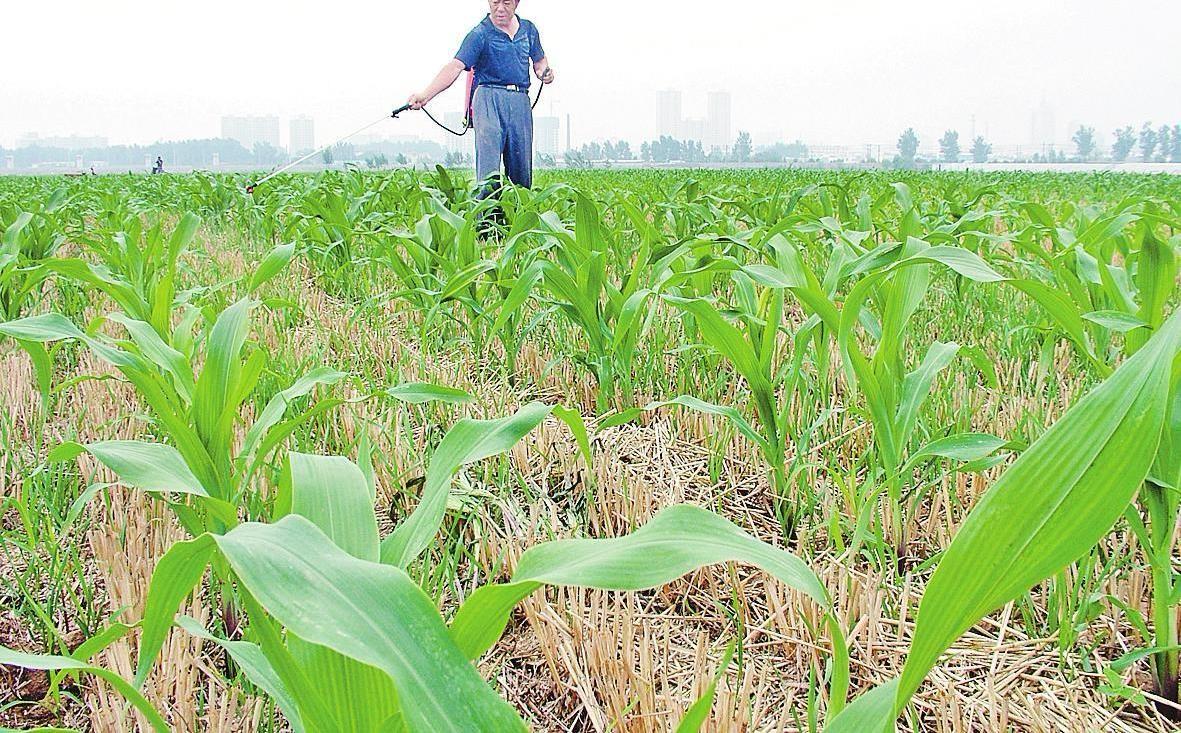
844 71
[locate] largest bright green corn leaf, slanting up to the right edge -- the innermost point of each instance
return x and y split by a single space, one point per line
1050 507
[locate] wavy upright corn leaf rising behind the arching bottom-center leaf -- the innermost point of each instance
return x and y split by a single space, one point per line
468 442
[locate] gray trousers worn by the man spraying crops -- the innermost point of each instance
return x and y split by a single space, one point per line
504 122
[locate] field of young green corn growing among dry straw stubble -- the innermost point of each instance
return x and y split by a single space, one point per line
642 451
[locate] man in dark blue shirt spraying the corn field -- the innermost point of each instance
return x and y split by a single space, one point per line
500 50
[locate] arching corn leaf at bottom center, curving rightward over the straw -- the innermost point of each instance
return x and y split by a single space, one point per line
677 541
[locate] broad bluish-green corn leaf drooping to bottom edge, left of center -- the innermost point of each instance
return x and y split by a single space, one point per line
368 612
